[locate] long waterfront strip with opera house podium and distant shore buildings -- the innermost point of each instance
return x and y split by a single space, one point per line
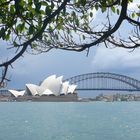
72 98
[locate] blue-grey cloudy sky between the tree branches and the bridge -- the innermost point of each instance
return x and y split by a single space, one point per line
34 68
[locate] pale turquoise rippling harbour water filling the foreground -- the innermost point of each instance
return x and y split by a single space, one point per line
70 121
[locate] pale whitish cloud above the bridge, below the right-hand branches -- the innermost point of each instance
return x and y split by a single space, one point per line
116 60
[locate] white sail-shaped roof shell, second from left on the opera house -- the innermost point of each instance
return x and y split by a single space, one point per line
32 89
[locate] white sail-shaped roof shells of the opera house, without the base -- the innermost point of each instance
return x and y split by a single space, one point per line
51 86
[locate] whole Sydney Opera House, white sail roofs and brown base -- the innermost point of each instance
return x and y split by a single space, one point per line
51 89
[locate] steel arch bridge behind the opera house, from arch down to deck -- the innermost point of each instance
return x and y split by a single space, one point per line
105 81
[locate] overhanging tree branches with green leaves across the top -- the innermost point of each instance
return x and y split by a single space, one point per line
73 25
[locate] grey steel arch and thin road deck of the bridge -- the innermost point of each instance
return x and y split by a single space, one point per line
133 83
